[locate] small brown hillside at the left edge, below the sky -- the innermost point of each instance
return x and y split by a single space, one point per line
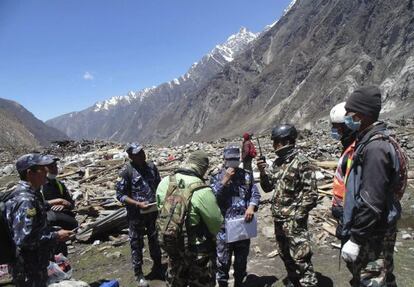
20 129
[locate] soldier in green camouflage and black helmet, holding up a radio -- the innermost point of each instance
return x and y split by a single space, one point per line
292 178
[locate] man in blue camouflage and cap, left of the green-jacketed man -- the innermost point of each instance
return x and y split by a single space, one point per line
136 188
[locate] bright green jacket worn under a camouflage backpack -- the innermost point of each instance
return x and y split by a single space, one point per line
203 208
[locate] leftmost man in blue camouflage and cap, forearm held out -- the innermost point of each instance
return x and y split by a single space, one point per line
26 215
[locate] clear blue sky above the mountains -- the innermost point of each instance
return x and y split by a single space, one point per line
59 56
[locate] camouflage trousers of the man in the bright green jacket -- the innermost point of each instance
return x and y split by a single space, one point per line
192 269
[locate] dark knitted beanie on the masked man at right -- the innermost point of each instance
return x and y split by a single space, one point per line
366 101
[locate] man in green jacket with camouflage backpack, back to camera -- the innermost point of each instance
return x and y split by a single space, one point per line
193 264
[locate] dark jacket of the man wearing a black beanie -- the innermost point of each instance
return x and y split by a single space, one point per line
370 208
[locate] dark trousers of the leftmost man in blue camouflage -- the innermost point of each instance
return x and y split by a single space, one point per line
30 270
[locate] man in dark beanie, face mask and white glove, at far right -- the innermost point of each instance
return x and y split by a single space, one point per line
374 186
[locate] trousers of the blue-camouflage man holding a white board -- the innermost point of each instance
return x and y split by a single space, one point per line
240 249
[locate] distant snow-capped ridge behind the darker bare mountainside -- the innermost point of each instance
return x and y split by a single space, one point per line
101 120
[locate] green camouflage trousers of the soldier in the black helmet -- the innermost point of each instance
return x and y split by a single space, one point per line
293 240
